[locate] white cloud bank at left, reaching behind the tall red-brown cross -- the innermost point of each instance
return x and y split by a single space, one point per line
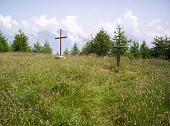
43 23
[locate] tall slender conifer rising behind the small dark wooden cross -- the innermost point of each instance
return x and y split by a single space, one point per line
120 40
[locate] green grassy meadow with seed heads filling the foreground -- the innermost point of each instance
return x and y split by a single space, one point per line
37 89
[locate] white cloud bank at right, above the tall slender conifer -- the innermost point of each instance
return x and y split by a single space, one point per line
132 26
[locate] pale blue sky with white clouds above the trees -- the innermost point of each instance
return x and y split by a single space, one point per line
141 19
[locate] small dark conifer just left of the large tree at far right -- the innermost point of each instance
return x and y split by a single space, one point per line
144 50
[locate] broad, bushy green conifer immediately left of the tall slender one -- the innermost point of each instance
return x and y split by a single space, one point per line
102 43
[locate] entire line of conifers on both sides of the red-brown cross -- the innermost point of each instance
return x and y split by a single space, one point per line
101 45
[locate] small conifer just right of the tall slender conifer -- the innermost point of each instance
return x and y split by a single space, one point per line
134 49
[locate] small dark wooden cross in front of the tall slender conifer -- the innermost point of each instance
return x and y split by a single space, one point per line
118 48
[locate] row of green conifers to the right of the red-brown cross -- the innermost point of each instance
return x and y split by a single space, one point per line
102 44
